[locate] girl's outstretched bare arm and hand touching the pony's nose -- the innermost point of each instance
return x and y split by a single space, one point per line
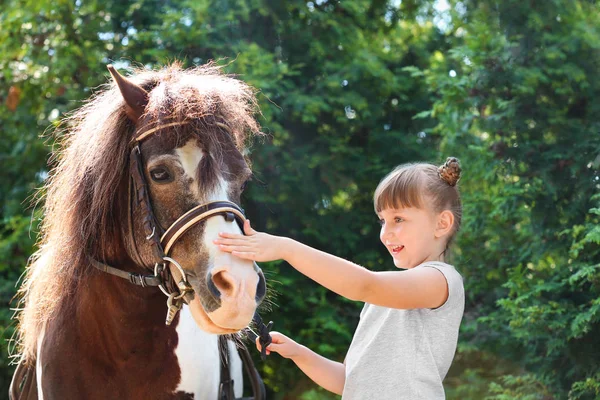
420 288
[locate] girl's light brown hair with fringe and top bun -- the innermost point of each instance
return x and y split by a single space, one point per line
423 186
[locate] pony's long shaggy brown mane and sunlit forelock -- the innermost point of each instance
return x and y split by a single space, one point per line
81 203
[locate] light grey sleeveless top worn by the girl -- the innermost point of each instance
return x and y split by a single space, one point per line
405 354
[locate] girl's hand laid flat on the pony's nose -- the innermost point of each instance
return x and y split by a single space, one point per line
256 246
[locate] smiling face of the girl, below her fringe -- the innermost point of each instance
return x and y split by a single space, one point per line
409 236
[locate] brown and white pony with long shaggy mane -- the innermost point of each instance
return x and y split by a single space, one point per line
154 150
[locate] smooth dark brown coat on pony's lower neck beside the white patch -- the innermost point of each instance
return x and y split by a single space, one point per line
111 328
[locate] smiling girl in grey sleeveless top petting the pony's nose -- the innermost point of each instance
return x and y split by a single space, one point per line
408 329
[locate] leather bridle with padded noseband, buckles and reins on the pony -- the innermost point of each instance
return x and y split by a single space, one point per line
173 281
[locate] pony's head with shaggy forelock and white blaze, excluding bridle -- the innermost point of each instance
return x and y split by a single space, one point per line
190 133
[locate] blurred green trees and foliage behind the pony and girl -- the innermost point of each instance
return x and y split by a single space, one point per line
348 90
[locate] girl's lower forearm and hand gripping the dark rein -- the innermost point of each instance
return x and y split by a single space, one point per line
328 374
